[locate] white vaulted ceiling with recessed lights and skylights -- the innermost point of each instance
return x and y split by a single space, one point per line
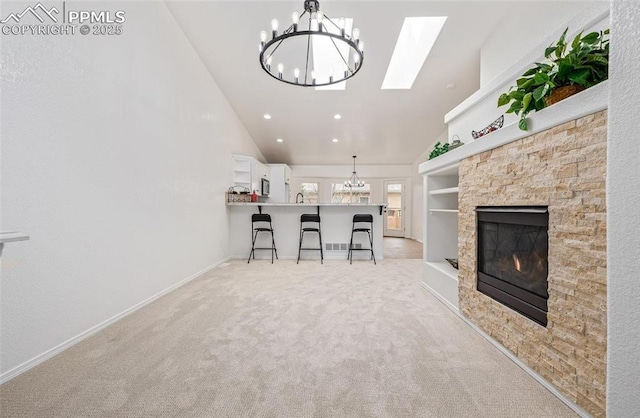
380 126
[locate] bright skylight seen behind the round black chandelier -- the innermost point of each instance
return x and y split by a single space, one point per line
325 59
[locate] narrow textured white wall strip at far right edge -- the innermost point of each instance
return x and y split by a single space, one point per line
623 201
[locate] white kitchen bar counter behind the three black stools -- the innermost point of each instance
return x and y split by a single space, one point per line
336 221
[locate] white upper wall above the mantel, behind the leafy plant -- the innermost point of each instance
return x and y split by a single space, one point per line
522 30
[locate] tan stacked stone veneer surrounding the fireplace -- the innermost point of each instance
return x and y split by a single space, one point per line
563 168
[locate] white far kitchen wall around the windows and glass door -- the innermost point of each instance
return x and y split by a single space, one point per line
375 175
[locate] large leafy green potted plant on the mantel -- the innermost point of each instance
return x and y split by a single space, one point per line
584 65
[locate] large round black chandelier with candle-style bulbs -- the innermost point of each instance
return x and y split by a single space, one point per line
286 56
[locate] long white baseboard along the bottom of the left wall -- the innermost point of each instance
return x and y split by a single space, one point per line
16 371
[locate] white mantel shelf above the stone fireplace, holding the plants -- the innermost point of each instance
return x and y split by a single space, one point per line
582 104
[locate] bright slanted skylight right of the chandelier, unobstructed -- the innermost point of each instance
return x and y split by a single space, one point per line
417 36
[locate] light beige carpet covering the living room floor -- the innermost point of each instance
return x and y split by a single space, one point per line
286 340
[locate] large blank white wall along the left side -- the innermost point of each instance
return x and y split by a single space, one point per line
116 152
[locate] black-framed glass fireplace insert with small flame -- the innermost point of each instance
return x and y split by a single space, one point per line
513 246
